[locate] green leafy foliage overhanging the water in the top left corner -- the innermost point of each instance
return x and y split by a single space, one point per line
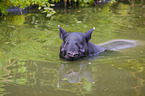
43 4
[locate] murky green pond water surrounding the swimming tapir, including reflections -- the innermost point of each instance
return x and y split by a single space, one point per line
29 53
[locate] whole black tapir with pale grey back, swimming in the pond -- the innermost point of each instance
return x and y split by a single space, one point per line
76 45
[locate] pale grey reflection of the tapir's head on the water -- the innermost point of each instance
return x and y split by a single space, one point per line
73 73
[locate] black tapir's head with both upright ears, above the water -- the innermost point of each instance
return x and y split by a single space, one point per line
75 44
